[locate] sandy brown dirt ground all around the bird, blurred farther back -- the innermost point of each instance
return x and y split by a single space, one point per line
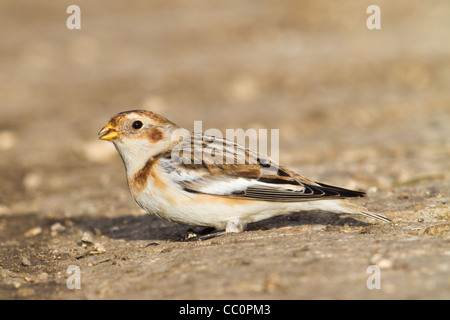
358 108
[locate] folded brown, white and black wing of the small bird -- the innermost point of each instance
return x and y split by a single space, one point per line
195 166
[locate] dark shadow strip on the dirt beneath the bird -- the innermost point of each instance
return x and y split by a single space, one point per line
148 227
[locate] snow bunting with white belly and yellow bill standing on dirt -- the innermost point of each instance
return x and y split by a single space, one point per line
192 188
